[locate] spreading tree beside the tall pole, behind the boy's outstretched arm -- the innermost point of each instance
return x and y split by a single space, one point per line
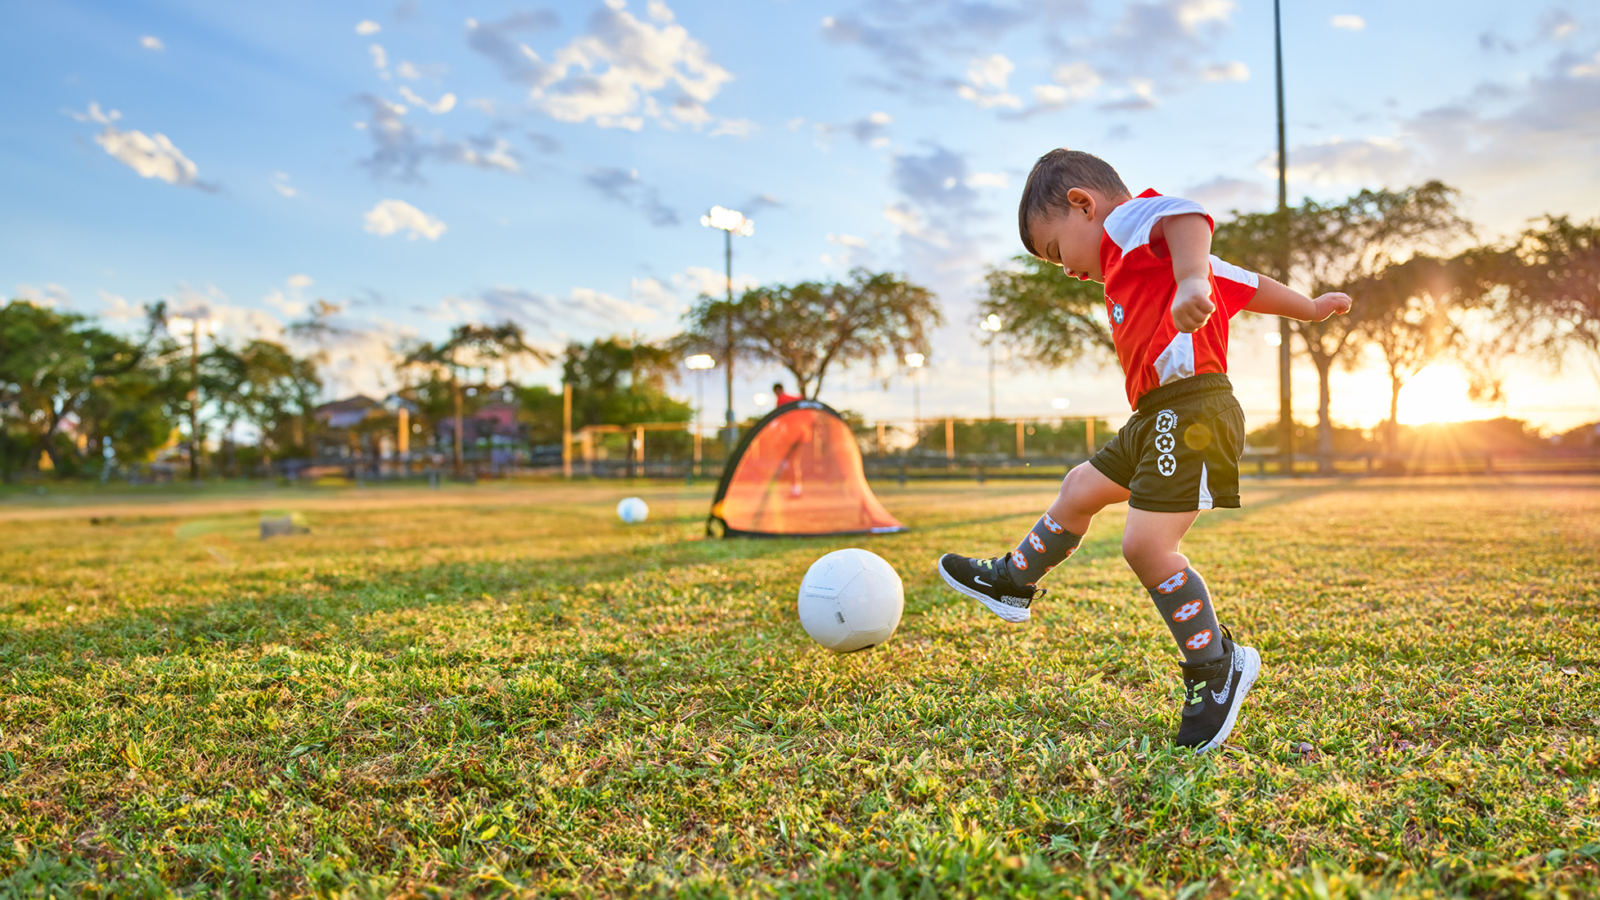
1335 249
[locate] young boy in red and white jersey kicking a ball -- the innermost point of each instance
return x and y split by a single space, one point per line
1169 302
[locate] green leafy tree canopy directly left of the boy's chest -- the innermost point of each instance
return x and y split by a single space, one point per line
1050 319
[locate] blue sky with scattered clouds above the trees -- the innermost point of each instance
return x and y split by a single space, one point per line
423 164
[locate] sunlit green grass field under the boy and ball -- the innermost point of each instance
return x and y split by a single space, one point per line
503 691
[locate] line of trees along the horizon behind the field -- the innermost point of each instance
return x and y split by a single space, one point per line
81 400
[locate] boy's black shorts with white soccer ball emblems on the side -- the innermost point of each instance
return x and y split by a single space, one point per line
1180 451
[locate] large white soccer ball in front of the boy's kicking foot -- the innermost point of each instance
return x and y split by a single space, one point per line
852 600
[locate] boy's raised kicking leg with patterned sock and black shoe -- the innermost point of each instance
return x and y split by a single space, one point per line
1009 584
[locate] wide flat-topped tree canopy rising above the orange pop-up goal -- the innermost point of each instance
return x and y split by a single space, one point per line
814 326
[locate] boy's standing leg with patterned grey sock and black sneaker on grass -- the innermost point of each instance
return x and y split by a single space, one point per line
1217 672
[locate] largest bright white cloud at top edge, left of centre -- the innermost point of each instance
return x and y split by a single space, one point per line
612 74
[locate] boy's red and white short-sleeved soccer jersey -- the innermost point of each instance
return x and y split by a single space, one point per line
1140 291
